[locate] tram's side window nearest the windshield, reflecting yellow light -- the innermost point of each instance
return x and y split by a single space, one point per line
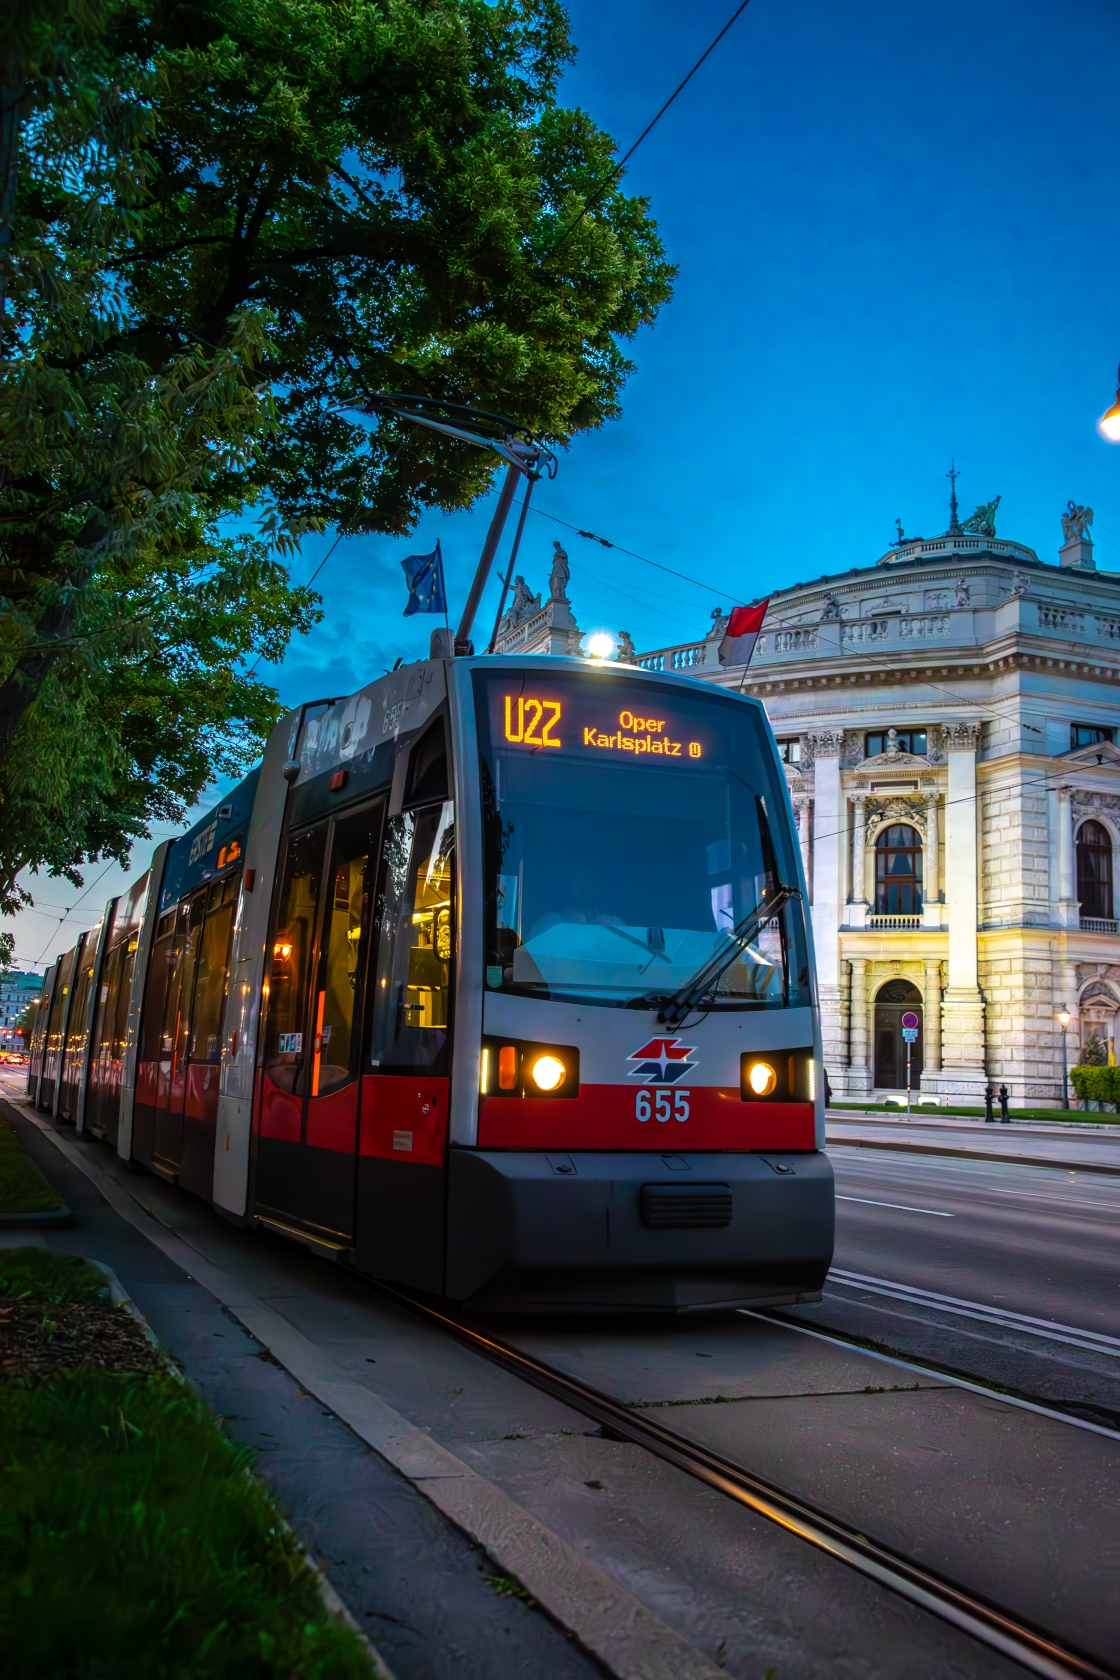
416 937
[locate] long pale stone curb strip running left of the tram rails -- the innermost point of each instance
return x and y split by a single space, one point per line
610 1624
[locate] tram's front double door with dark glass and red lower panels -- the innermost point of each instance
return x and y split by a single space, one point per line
310 1083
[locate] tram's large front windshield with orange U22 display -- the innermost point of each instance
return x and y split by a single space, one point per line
629 829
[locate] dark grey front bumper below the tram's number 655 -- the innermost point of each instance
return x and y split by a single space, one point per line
545 1231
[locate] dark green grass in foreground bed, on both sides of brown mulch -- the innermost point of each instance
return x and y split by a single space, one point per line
133 1540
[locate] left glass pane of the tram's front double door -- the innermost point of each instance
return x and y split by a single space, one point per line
288 1039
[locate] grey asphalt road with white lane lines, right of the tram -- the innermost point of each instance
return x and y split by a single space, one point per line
998 1242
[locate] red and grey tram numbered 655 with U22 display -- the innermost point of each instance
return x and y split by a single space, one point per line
495 980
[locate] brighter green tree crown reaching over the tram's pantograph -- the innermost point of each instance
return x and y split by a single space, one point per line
397 184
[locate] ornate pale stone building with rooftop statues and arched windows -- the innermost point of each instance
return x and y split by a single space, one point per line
950 723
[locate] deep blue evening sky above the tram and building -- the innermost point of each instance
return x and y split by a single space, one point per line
899 243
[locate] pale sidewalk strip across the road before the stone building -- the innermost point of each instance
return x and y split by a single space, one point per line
1065 1147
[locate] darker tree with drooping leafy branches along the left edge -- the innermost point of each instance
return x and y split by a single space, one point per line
127 612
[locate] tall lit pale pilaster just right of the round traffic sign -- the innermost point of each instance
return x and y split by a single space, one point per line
963 1071
